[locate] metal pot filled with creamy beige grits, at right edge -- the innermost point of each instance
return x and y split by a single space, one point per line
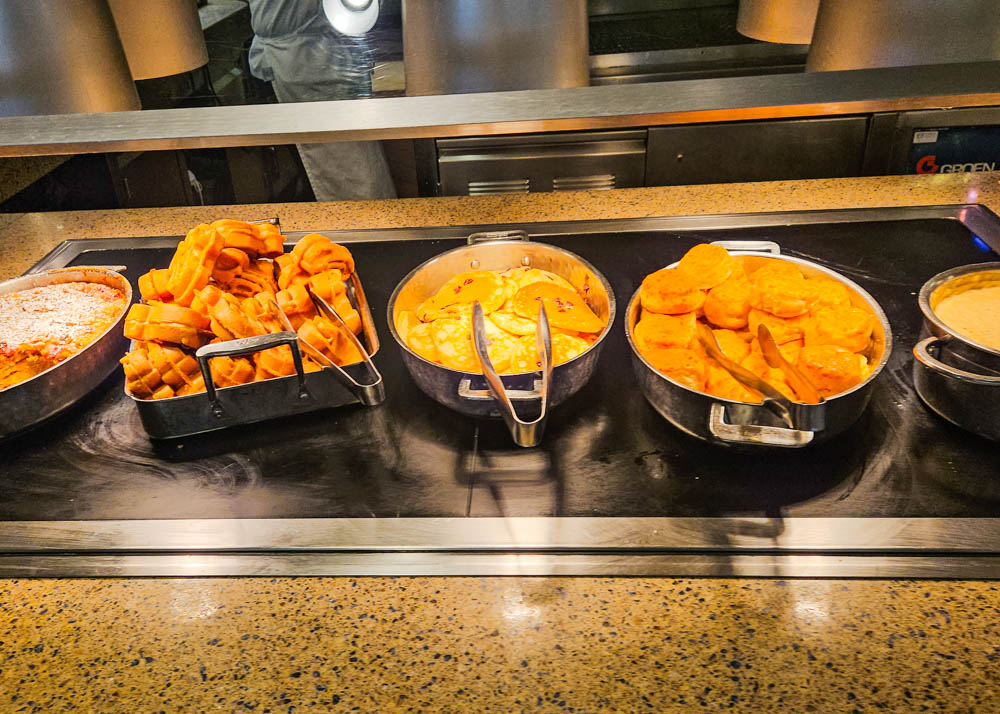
956 367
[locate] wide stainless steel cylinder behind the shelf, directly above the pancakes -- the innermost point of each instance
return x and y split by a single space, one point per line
454 46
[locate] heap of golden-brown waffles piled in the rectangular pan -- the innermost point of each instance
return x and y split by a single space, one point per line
220 285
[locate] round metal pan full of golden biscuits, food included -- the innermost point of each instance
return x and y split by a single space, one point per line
817 338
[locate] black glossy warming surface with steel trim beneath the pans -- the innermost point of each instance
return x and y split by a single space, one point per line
412 487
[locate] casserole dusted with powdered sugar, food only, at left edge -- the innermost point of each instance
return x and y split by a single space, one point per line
40 327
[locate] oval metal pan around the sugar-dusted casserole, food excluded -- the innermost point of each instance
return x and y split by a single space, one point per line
25 405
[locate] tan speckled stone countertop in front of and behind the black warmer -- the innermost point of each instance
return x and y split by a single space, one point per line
499 644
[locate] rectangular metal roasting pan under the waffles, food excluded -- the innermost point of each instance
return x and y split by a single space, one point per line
302 392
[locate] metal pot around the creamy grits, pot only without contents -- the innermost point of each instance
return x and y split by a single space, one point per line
954 375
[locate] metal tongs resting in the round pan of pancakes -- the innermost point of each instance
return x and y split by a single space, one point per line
524 433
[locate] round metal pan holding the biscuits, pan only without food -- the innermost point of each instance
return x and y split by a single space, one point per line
732 423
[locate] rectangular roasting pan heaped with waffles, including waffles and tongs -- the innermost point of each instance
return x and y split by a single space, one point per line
236 330
